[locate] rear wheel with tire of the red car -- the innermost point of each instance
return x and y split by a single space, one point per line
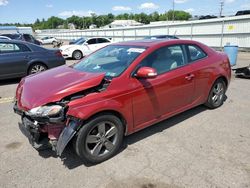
217 94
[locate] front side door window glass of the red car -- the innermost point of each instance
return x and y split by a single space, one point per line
165 59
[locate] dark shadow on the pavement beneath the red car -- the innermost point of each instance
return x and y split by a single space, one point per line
71 160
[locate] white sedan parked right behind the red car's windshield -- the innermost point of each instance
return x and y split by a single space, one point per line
78 51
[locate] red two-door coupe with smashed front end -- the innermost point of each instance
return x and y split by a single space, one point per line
118 90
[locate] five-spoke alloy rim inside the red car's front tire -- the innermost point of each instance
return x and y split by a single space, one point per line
101 139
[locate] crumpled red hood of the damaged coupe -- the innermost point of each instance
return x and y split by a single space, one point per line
53 85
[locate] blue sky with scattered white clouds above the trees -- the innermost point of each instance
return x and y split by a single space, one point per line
27 11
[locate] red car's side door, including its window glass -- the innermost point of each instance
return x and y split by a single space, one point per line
169 92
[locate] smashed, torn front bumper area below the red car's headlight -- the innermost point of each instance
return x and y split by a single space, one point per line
44 134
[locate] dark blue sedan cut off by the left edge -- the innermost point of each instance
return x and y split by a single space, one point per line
18 59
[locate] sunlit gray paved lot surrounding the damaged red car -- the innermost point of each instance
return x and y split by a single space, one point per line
198 148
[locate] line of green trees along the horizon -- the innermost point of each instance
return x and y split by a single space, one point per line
102 20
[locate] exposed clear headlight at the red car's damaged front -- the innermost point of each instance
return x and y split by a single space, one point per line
45 111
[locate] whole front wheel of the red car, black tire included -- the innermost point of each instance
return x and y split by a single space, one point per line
99 139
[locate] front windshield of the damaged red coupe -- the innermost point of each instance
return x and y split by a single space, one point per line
111 60
